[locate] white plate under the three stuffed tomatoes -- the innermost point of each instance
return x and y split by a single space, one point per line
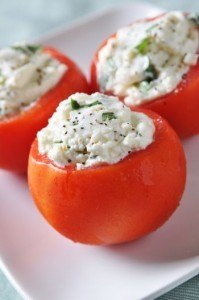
43 265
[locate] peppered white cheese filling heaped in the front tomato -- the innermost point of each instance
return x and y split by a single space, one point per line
88 130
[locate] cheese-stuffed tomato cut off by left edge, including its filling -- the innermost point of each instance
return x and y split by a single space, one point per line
33 80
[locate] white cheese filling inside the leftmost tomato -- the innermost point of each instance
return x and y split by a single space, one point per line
26 73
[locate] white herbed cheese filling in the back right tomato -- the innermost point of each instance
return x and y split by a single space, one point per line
148 58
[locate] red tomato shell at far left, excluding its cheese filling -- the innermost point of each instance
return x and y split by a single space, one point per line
18 132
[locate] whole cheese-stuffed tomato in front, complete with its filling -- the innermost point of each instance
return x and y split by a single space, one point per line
101 173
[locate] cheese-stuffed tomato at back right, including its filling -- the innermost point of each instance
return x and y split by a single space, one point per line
154 64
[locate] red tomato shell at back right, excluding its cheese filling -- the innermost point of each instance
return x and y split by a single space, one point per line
180 107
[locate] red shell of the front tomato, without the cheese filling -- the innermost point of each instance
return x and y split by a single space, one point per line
113 203
